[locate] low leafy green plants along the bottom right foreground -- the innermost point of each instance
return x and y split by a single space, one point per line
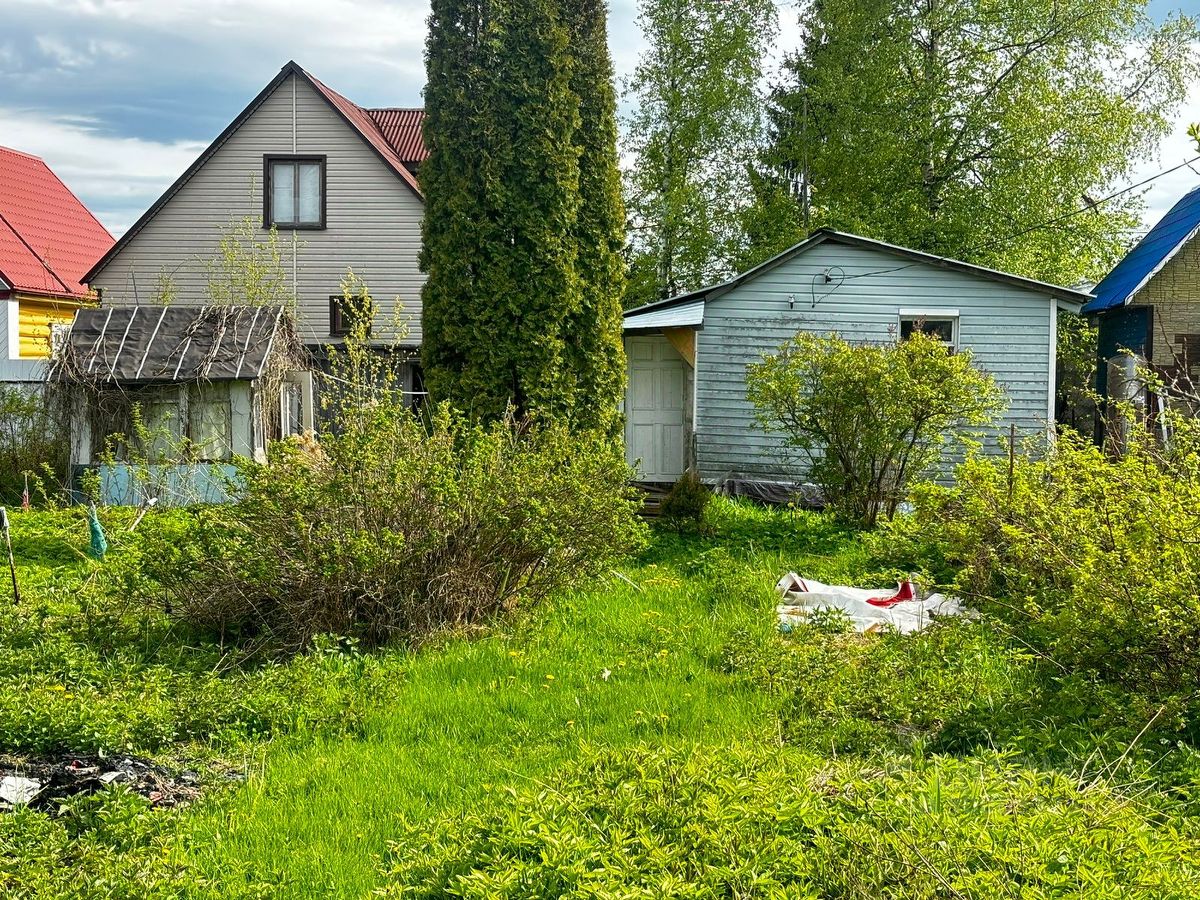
773 823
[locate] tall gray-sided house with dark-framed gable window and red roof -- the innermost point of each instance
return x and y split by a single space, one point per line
337 181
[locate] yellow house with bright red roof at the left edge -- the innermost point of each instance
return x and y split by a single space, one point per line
47 242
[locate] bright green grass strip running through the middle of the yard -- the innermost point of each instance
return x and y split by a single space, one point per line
638 657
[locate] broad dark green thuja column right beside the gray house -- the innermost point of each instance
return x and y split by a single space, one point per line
502 189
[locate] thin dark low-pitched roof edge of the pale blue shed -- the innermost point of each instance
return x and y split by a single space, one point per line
824 236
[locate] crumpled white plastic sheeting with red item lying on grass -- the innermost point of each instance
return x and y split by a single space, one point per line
890 611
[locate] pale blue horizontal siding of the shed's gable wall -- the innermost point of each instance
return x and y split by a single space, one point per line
1007 329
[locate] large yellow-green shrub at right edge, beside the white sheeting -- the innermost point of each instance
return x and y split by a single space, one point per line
1094 562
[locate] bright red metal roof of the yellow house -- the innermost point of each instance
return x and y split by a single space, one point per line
47 237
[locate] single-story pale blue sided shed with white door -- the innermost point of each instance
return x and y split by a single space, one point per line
686 404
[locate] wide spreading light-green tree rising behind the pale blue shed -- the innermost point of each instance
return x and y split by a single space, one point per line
987 130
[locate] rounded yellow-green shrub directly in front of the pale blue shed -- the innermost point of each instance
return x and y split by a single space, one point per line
869 419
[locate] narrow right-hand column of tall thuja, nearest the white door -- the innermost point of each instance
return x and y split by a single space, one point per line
595 332
